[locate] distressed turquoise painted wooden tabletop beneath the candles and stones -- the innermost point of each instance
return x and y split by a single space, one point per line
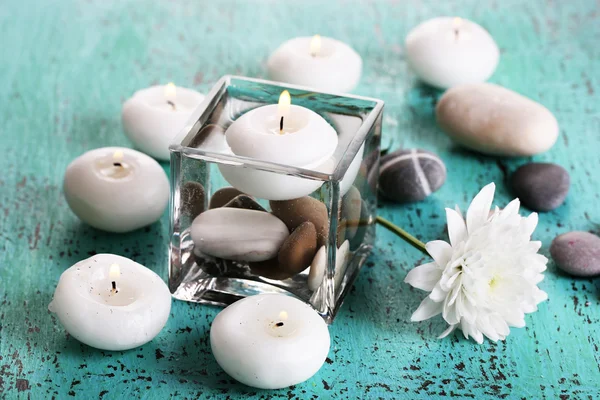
66 68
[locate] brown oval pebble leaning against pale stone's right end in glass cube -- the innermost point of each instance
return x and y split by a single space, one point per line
299 249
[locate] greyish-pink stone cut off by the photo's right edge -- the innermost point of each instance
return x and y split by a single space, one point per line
577 253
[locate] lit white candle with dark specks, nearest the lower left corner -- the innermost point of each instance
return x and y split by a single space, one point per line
122 317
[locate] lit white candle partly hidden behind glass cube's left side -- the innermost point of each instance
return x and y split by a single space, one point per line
152 117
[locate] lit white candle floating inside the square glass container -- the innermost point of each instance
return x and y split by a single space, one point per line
306 141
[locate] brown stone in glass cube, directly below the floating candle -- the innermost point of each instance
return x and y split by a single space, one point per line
295 212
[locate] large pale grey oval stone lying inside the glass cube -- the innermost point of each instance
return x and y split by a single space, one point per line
238 234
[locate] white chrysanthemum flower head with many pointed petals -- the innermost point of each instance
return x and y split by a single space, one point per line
485 280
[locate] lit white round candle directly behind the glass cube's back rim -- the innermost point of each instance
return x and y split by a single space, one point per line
319 62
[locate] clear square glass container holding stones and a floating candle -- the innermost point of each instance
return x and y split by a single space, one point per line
342 199
